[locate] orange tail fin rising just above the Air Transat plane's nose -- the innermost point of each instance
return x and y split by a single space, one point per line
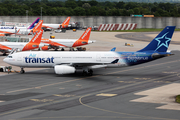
35 41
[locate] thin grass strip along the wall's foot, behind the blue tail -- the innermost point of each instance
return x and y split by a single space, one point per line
140 30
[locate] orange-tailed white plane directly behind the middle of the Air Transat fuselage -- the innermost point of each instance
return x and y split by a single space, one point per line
67 43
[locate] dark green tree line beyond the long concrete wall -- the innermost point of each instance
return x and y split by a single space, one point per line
86 8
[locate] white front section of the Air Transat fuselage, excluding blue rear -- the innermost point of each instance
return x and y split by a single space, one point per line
50 59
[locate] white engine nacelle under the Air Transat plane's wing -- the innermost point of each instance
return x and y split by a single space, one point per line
64 69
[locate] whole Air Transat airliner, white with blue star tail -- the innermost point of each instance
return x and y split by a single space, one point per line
68 62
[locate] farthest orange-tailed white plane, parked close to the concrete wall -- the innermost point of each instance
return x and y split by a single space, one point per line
65 24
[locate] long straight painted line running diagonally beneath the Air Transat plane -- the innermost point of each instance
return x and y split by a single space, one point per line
90 77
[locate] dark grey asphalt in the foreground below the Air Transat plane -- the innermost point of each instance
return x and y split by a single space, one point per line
107 95
